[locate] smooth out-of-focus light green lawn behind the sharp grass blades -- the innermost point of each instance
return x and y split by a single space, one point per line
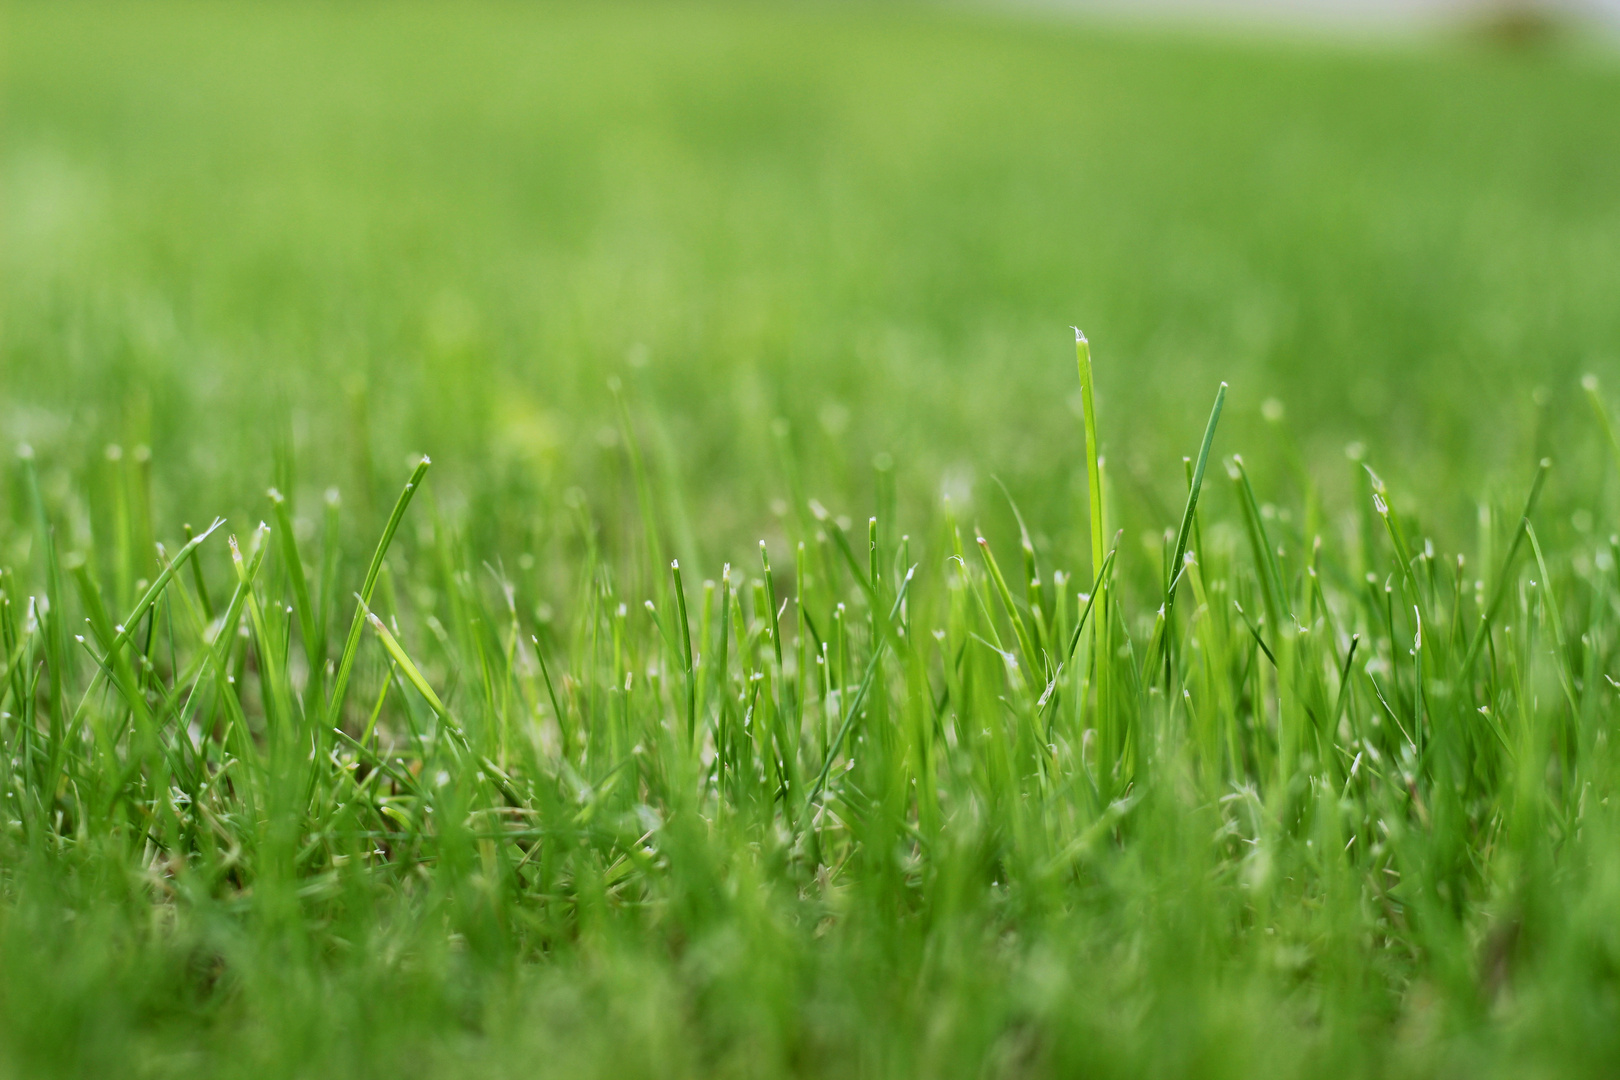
309 240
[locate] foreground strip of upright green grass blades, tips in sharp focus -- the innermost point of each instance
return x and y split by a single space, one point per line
885 807
